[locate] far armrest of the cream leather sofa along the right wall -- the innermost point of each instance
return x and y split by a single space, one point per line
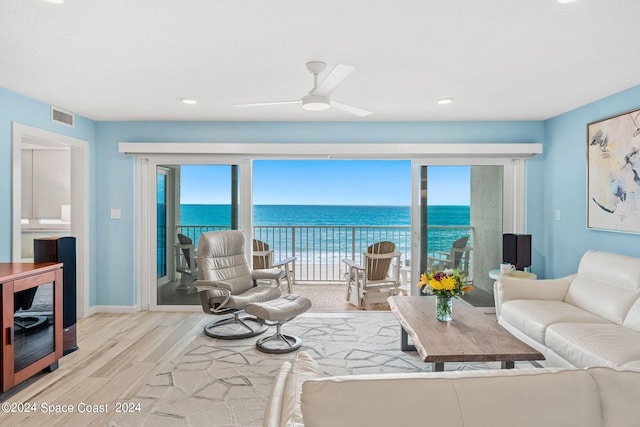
510 288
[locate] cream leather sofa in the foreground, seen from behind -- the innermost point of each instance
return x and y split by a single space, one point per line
550 397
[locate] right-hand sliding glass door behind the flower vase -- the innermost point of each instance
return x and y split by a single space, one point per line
461 214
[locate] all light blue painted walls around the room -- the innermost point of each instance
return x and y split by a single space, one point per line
555 180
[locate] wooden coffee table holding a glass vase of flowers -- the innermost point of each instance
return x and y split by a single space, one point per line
471 336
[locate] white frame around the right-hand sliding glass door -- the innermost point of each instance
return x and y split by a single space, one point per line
513 190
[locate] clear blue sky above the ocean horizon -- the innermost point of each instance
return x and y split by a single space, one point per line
326 182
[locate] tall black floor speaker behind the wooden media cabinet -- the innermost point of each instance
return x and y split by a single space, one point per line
62 249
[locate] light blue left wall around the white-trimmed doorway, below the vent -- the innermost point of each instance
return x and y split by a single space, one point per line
18 108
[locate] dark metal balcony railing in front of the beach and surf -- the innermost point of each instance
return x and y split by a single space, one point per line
320 249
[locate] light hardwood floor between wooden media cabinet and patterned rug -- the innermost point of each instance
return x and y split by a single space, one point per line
117 353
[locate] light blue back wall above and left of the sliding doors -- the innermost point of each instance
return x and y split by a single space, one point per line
115 173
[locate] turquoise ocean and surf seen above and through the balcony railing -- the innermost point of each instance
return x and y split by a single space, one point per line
343 231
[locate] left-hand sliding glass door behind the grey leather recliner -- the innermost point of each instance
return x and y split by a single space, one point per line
191 199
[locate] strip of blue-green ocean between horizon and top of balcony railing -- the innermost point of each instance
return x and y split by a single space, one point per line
324 215
